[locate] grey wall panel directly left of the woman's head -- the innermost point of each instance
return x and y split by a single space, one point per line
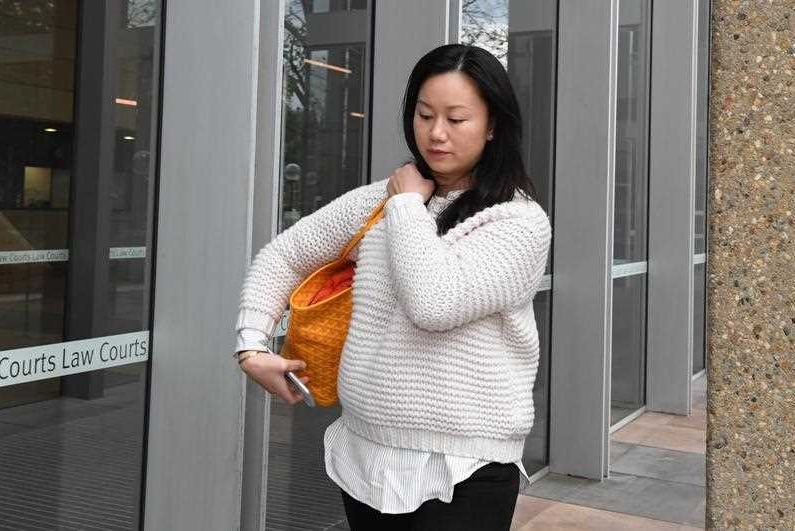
404 32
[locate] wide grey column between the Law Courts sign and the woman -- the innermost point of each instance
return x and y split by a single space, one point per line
195 425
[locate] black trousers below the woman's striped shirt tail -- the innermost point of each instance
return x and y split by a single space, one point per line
483 502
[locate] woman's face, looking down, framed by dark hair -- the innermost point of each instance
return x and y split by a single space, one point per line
451 127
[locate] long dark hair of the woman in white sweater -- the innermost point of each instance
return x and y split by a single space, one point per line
500 170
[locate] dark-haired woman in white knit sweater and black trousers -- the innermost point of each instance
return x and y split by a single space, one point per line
438 367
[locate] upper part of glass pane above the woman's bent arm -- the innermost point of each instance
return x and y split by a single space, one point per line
323 112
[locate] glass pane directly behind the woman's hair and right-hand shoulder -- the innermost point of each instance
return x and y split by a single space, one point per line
523 35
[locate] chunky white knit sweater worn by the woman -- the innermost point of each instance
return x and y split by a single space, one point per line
442 349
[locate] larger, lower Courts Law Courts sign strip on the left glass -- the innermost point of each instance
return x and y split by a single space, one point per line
72 357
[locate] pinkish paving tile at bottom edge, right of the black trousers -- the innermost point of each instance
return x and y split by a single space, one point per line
566 516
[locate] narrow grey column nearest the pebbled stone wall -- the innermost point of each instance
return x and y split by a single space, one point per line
671 206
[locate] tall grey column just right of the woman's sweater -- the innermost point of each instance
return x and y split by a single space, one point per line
583 249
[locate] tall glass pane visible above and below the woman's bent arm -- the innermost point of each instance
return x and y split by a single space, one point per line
323 145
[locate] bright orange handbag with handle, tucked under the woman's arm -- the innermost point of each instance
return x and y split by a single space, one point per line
320 311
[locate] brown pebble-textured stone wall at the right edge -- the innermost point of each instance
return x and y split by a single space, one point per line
751 271
